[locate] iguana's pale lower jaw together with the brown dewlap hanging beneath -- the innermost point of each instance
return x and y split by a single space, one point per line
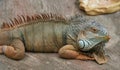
95 46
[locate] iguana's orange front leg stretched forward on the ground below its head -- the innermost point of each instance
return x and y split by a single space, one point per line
70 52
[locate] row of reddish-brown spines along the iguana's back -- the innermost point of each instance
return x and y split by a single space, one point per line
23 20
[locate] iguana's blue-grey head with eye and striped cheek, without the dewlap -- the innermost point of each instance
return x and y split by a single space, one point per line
93 34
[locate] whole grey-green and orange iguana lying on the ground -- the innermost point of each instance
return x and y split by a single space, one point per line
75 38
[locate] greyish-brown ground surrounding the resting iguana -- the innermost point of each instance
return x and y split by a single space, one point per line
51 61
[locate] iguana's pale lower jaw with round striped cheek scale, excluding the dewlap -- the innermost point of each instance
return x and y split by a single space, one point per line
89 43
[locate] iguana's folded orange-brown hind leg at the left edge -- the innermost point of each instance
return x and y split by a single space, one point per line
16 50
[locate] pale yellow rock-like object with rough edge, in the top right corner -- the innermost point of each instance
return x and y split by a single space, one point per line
96 7
